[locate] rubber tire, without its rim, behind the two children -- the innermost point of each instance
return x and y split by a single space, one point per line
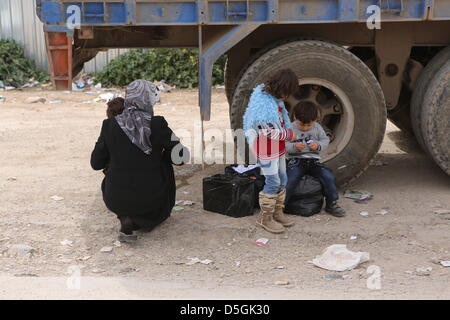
323 60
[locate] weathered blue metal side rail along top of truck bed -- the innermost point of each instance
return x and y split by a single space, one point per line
173 12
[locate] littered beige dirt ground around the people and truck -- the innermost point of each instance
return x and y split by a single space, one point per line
45 151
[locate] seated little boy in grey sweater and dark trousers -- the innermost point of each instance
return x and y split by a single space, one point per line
303 156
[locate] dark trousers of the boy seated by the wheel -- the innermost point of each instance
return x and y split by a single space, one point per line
297 168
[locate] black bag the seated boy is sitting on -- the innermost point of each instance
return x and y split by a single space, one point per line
307 199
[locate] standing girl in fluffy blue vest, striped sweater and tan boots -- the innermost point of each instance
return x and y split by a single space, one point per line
267 127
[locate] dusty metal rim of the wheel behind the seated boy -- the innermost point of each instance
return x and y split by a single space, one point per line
336 113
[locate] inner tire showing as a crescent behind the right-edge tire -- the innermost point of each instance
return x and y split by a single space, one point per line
417 100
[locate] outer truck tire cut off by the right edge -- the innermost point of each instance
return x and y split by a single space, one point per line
436 118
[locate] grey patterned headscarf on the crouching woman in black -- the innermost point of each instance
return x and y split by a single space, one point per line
140 97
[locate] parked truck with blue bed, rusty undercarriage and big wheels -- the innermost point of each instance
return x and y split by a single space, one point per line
360 61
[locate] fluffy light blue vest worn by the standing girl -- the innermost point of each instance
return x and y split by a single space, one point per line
262 111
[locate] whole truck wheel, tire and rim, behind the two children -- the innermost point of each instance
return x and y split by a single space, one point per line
339 77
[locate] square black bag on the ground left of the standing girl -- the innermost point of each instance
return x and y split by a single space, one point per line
230 195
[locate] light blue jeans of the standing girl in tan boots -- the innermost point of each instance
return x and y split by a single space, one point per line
275 173
